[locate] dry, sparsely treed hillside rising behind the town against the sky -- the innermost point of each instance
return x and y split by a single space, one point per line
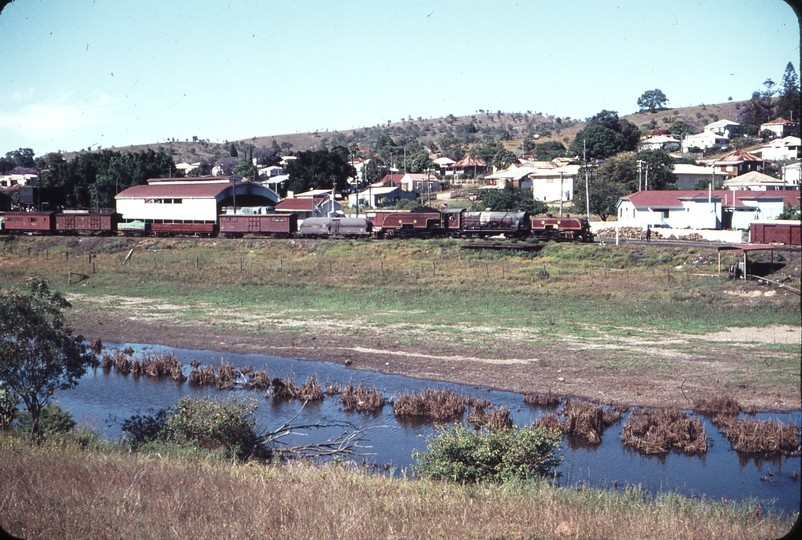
510 127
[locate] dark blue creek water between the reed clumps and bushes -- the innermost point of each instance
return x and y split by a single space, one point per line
103 400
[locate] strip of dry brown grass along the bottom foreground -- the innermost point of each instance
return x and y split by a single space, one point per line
72 494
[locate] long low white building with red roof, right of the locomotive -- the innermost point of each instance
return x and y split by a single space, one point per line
702 209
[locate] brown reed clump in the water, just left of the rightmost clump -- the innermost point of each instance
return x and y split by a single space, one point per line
661 430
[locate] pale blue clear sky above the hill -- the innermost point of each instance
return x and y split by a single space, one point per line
111 73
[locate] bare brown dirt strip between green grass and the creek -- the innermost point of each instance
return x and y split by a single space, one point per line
676 369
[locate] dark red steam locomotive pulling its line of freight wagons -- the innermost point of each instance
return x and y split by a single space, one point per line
422 223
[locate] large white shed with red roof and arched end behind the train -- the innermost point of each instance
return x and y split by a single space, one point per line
199 199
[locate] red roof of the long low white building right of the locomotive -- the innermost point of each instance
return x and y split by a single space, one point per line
674 198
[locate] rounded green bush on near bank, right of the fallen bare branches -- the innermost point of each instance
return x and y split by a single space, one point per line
462 455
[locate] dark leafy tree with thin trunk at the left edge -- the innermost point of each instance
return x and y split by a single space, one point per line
38 353
